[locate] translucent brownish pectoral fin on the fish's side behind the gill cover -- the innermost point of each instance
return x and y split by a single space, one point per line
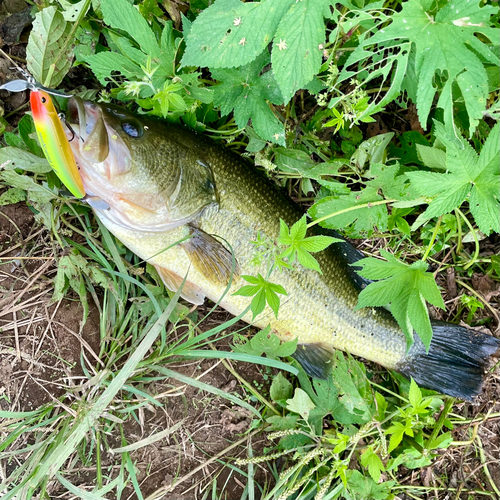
210 257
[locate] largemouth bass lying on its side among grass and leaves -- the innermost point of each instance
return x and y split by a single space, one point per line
192 209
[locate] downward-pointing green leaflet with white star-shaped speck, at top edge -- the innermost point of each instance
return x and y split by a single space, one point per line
298 45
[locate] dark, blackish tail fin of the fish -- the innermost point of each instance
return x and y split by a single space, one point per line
456 361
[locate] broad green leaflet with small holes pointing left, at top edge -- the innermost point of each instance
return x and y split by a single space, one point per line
231 33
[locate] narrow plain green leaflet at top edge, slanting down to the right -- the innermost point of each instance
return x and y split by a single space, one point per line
122 15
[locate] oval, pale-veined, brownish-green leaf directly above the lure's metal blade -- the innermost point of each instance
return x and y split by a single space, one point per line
47 38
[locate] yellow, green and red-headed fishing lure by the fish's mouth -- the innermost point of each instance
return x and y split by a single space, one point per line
51 135
